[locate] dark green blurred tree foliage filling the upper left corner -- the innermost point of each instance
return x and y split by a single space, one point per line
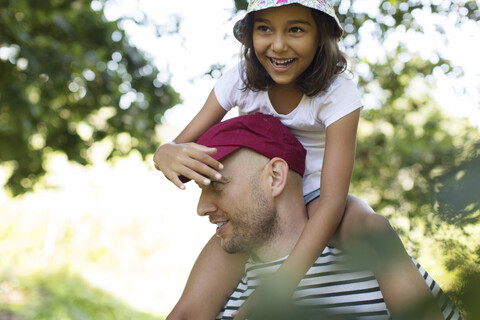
69 79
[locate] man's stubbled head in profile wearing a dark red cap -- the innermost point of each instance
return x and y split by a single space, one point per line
261 160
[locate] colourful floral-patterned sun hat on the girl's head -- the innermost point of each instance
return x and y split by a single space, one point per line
325 6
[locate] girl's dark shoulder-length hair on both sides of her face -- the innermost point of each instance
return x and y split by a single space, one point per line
329 60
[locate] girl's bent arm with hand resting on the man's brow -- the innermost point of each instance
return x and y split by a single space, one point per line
184 157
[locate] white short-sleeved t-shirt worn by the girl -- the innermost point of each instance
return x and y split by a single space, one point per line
308 121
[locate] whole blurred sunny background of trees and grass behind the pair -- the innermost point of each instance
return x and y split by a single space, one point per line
89 90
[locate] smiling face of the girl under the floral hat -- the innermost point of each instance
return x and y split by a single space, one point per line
285 40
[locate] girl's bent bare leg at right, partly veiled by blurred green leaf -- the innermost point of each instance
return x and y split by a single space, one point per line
371 241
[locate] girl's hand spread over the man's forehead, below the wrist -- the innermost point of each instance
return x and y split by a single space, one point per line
190 160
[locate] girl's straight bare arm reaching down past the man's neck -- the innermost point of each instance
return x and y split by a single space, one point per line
326 212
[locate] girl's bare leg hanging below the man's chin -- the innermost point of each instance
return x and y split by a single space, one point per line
213 278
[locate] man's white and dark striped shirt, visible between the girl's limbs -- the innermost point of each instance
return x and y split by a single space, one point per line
332 287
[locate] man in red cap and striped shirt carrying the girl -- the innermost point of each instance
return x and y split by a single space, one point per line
259 209
